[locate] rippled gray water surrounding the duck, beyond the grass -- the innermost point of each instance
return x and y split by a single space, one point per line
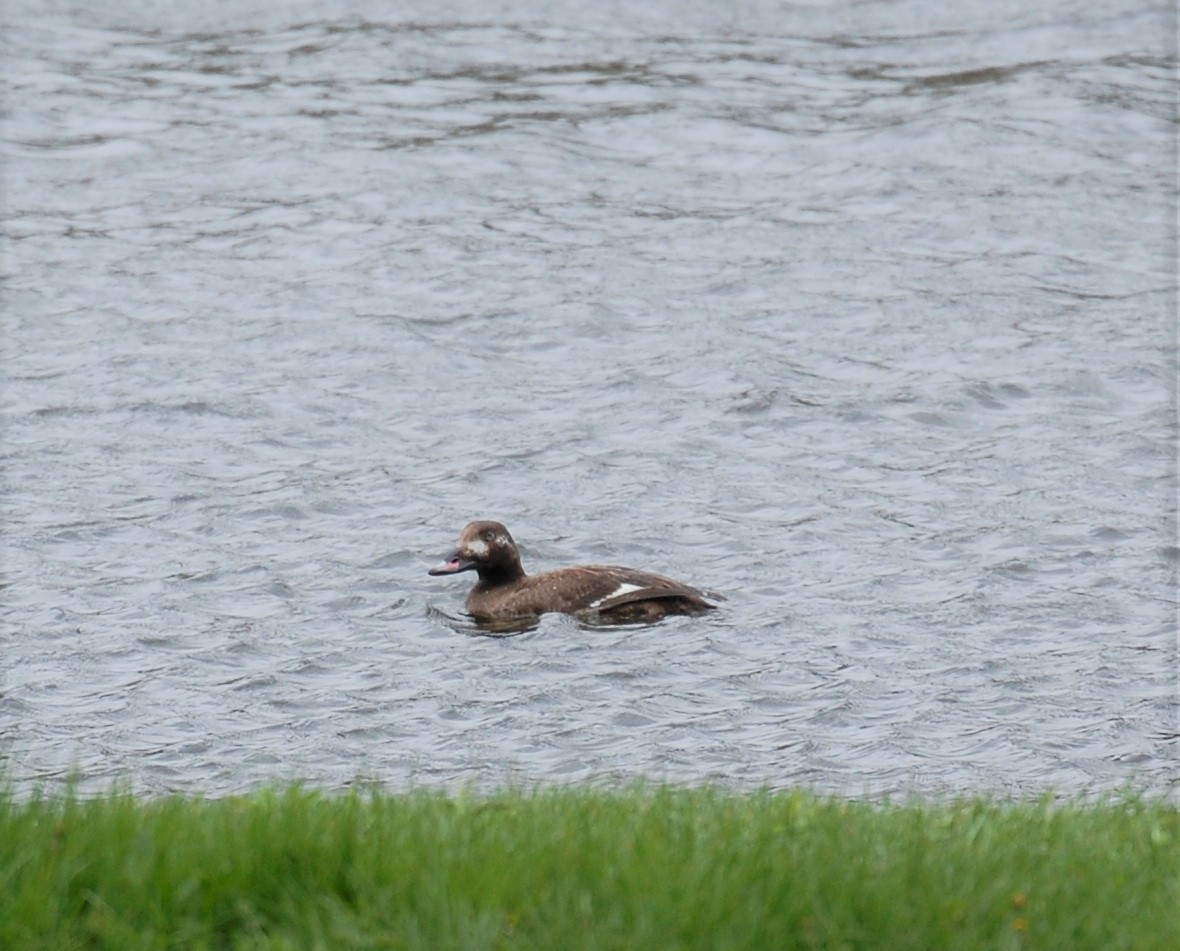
863 314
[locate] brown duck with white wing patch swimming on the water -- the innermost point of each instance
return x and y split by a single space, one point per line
602 593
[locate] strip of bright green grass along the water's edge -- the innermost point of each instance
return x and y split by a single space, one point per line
573 869
